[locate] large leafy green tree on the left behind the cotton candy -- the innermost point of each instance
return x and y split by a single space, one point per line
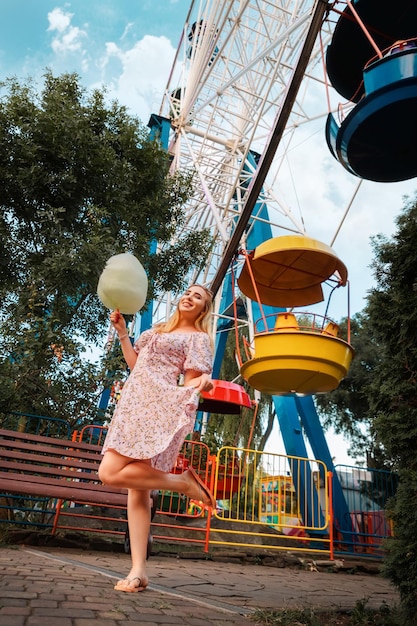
81 181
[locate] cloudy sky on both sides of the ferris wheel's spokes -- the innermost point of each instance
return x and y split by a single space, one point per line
128 46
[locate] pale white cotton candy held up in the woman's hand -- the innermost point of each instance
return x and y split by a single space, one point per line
123 284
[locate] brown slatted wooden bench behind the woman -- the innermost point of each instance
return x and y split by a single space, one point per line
63 473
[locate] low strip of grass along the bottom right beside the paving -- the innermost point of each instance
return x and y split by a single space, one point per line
360 615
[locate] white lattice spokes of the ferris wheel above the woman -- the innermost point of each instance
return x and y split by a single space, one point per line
229 100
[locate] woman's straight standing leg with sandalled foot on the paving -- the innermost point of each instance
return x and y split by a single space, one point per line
139 521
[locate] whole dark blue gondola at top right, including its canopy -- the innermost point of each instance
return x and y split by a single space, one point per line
376 139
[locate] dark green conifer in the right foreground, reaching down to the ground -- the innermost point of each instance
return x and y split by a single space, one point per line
392 394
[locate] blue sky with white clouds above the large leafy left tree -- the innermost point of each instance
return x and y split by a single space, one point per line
128 45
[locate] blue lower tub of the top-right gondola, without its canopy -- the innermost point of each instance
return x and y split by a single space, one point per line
377 140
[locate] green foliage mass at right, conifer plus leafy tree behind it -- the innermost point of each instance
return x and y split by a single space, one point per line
378 397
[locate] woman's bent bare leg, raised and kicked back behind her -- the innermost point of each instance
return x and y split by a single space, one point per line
121 471
